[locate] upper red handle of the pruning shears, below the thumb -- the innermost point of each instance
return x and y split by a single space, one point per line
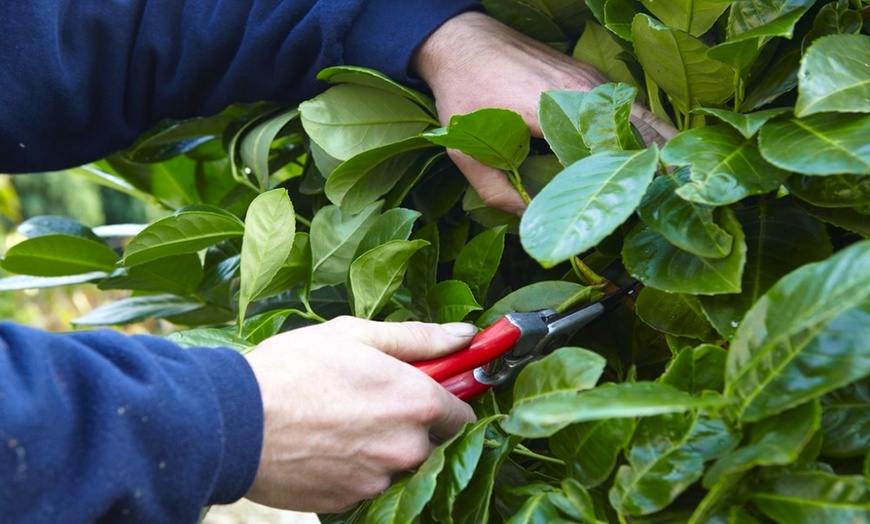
486 346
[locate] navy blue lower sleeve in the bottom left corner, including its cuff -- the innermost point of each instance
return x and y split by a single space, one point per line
100 426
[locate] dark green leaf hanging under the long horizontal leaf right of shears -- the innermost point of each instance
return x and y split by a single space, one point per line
590 448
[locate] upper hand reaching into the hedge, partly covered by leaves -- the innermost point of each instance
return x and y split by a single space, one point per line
472 62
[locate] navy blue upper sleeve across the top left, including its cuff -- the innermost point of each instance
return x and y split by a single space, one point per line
81 79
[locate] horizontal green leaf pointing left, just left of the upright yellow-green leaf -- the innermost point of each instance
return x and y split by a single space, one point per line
184 232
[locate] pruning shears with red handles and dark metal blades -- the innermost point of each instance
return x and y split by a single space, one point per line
496 355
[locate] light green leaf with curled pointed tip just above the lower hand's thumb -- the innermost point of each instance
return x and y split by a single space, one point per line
375 276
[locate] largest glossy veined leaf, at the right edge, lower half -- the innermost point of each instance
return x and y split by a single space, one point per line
814 321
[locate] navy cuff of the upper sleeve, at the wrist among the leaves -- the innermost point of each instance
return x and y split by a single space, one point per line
386 33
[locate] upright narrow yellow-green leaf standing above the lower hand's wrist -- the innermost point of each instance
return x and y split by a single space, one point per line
270 226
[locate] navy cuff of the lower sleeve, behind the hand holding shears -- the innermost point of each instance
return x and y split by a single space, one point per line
241 409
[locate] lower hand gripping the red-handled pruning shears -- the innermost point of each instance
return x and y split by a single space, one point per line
344 413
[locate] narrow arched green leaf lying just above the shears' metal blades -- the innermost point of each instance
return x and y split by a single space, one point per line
549 294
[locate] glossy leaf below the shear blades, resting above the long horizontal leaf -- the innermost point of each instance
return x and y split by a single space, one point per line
567 369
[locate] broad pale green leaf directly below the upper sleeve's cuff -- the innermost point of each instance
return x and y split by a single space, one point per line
348 119
